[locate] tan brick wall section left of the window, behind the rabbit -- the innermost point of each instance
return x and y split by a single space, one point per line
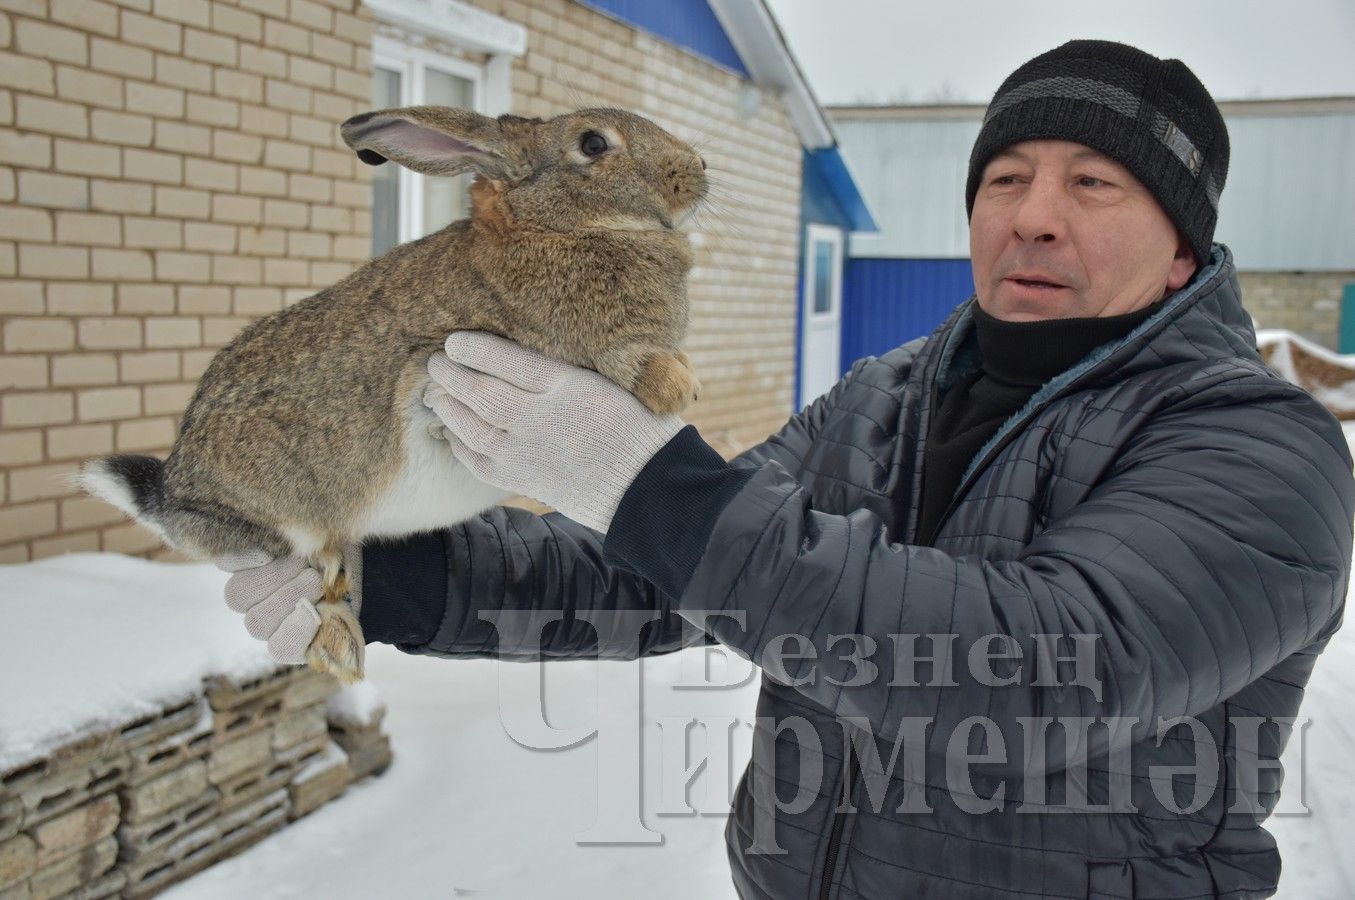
170 171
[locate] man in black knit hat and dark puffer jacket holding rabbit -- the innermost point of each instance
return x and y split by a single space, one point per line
1089 449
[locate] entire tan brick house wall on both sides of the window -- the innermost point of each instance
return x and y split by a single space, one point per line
171 170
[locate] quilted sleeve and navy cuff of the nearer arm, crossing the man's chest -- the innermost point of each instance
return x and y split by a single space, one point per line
1219 546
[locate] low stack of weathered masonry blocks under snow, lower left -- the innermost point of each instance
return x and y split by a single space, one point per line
131 811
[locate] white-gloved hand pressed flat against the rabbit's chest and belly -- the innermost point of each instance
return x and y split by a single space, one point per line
544 429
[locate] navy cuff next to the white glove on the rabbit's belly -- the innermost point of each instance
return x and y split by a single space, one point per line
667 514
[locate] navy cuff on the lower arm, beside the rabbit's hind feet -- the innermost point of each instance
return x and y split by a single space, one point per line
404 590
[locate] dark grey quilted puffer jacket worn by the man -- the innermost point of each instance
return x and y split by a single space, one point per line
1169 495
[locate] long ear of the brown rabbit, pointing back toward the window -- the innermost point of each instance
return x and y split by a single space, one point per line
434 140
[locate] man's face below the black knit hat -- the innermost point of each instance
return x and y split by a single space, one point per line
1062 231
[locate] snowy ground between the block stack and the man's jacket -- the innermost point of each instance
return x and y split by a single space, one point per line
465 811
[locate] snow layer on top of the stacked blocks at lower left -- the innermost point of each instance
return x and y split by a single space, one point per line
90 642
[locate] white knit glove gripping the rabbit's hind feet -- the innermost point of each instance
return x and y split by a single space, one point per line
278 597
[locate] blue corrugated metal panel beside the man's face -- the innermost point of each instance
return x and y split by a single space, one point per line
891 302
